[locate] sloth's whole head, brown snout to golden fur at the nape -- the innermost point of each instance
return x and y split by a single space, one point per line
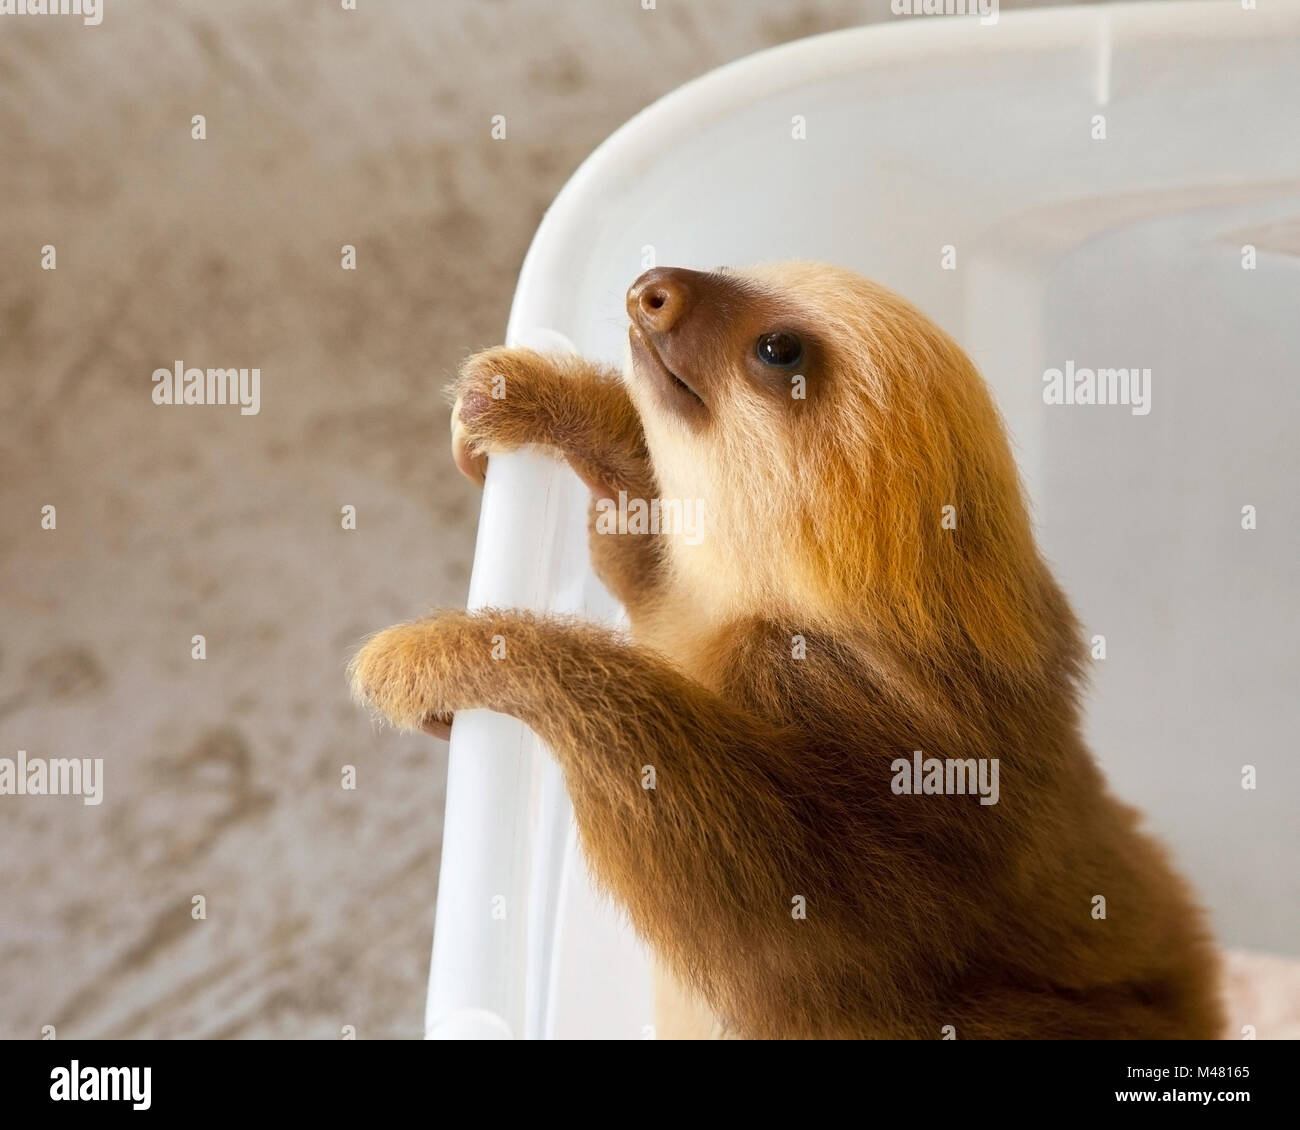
850 460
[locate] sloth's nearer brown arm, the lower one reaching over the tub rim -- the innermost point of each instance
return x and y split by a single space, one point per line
718 821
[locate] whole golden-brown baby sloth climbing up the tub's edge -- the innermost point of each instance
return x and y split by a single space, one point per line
868 586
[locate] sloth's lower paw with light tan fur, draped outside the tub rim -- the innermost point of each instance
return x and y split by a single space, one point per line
404 674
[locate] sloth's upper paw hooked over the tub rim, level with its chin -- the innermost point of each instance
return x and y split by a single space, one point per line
493 408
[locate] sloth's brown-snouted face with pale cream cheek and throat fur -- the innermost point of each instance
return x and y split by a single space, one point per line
736 376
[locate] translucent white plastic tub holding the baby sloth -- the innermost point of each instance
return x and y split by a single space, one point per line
1119 253
